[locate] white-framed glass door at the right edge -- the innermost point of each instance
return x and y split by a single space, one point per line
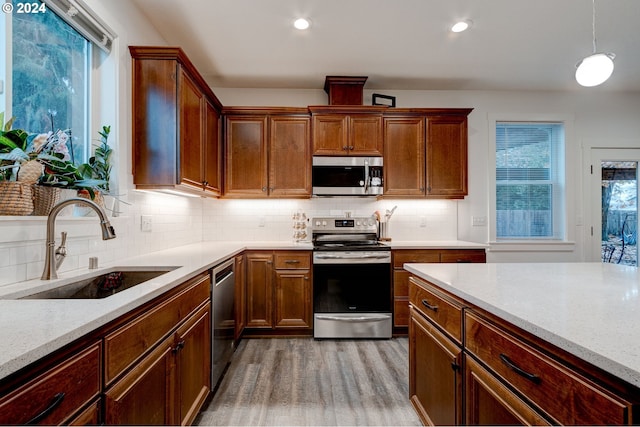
614 205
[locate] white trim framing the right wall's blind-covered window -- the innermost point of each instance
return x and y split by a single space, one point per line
571 151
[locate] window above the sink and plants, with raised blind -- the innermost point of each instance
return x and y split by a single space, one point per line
50 56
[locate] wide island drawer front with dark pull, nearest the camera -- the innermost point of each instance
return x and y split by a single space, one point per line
557 390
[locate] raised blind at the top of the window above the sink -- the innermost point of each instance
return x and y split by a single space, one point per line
84 21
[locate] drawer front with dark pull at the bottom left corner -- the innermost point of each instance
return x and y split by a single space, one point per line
57 394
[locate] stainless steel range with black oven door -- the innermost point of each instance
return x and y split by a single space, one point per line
351 279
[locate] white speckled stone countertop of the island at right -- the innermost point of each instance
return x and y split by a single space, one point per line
587 309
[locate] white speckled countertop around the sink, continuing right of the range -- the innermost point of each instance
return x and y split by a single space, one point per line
32 329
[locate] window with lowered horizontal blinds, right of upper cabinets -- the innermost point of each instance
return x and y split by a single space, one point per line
529 180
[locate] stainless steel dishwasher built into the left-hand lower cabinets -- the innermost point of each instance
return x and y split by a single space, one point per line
223 319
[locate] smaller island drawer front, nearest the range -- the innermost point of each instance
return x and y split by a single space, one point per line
443 310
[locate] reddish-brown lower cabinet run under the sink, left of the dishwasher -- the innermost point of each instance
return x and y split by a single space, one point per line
151 366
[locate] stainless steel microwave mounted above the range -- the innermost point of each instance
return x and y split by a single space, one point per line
347 176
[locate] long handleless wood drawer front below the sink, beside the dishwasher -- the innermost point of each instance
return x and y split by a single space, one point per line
125 345
